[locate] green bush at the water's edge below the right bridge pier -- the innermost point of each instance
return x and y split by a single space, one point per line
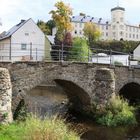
117 112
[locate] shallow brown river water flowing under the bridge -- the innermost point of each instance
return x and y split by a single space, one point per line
53 100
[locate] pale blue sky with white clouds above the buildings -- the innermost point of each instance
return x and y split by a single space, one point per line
12 11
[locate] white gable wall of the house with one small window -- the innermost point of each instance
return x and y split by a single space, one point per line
27 34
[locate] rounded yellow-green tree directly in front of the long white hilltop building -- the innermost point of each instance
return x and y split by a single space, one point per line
92 32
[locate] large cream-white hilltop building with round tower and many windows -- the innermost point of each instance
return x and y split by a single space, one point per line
114 29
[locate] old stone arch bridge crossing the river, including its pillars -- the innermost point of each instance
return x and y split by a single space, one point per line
84 83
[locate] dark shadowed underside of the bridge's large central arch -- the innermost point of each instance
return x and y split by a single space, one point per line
76 94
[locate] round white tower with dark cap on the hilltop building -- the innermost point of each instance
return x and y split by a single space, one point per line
118 23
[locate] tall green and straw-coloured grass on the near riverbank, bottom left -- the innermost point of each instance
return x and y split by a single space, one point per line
36 129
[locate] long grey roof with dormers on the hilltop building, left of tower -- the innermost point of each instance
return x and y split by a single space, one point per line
89 19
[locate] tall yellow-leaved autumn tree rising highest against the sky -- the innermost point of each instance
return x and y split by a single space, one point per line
61 17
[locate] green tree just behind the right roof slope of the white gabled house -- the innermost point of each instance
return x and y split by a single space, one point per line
42 25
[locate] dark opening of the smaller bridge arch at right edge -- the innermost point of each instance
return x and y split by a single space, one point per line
131 91
